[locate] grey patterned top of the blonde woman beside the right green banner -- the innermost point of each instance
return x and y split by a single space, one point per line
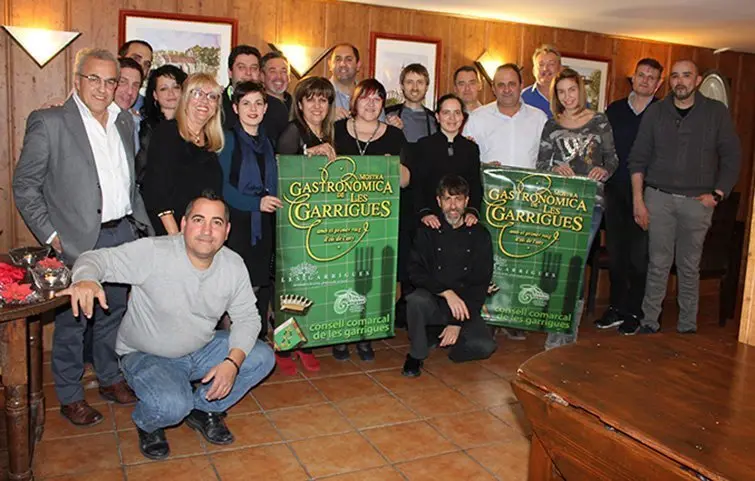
582 148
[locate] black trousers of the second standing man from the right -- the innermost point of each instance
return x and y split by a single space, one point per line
627 246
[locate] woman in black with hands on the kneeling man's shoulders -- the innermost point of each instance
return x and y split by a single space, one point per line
446 152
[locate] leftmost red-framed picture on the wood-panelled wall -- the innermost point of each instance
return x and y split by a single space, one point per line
192 42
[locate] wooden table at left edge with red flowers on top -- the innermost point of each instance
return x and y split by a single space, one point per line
21 358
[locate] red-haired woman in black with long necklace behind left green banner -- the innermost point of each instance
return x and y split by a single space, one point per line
364 134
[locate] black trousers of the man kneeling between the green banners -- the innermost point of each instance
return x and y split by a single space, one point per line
425 309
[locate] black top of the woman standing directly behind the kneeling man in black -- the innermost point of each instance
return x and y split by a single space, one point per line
431 161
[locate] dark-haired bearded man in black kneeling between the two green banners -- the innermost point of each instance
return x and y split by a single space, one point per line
451 268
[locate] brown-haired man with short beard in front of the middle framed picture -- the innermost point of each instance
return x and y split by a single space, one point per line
412 117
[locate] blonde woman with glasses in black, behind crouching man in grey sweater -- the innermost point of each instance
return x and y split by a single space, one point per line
182 160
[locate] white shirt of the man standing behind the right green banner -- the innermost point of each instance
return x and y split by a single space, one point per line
512 141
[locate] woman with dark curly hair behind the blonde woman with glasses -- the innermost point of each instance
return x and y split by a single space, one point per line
160 103
